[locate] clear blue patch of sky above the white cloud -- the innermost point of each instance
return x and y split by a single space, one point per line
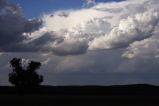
32 8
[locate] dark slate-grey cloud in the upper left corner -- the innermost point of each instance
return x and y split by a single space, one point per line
13 25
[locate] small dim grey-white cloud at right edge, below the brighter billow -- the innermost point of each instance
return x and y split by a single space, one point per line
147 48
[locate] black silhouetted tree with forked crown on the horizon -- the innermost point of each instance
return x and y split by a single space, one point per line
28 77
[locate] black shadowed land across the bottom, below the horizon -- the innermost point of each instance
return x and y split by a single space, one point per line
128 95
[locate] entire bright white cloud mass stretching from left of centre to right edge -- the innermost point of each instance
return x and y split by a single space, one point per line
103 26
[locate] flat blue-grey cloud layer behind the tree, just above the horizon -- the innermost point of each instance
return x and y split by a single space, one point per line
93 68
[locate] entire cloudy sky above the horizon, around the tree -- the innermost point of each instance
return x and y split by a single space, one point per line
82 42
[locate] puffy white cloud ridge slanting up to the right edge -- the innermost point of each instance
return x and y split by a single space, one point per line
129 30
